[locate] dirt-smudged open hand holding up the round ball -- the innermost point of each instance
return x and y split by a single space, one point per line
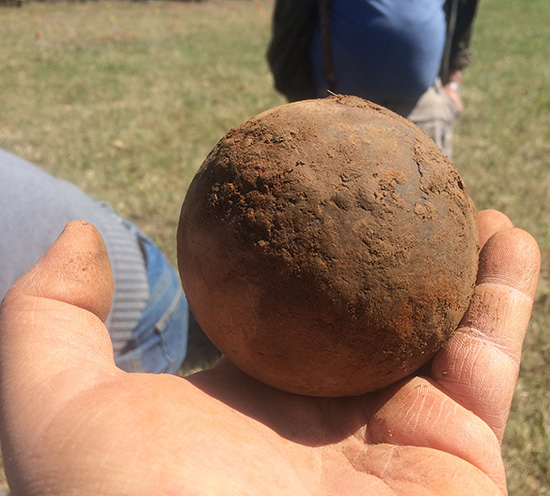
72 423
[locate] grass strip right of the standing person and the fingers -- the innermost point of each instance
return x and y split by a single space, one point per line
503 152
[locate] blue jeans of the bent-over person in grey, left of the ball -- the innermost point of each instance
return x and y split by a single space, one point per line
159 340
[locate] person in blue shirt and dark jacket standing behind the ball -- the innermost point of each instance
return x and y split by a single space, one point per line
406 56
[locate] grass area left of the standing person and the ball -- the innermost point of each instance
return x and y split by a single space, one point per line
128 98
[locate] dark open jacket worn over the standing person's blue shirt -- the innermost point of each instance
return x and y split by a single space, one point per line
294 22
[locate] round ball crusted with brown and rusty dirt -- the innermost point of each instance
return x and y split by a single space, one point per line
328 247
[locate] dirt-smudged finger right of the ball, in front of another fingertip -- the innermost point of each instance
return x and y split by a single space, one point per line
479 365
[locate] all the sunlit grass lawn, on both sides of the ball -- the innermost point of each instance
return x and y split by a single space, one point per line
126 99
